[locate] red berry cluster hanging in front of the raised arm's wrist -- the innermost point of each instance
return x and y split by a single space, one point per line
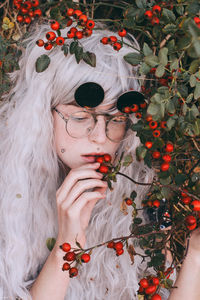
70 257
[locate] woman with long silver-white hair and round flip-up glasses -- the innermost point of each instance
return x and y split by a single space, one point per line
50 188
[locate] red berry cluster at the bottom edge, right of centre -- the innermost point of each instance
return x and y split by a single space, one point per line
148 286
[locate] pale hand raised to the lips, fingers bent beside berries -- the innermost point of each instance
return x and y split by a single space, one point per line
75 204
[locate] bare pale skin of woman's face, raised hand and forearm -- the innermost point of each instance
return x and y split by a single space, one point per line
74 203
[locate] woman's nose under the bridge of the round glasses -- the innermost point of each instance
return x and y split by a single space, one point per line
98 134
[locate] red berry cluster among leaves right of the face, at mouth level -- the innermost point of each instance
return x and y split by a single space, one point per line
166 157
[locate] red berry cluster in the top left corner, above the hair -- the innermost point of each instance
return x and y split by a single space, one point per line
28 10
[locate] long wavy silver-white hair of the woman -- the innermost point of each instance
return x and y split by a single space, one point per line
31 171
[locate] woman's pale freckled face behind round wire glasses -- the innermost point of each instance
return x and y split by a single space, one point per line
72 148
